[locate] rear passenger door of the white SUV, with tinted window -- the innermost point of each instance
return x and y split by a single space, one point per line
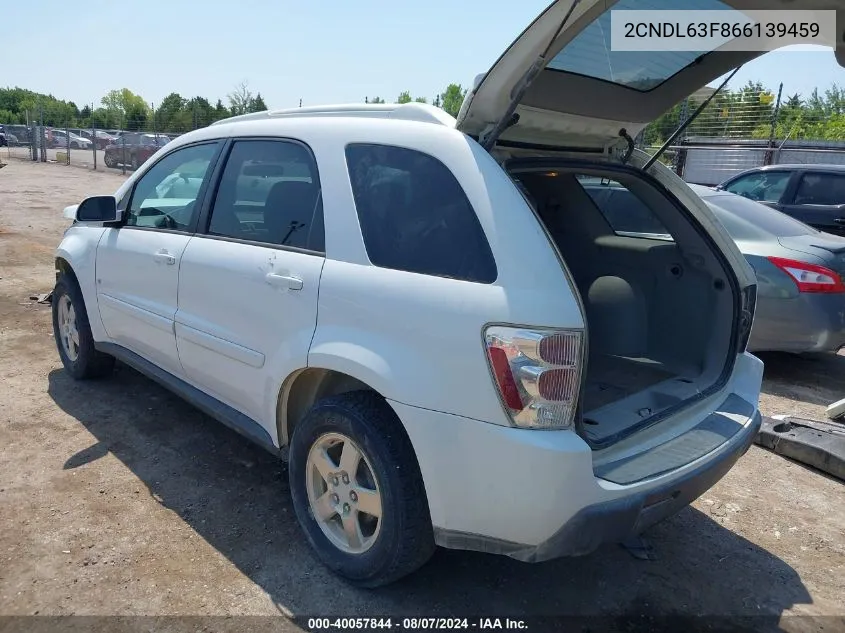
248 283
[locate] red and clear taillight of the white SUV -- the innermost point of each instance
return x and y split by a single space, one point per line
537 374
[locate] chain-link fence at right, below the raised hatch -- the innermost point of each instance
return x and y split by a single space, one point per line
749 126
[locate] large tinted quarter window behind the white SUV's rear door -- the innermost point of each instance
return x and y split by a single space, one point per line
415 216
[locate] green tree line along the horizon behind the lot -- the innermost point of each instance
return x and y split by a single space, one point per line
746 112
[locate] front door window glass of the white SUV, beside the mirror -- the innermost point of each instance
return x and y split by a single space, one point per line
165 196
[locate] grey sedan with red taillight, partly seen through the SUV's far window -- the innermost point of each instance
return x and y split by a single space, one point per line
800 288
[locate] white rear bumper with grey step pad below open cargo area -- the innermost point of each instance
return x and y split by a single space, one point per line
535 495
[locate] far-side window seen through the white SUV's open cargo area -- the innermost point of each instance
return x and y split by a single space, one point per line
624 212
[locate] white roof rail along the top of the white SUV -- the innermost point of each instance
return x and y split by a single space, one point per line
422 112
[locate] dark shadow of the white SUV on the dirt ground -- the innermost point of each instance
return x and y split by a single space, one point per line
213 479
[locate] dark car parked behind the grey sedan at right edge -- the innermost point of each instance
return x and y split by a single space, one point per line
813 194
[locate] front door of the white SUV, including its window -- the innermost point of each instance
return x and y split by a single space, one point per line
138 263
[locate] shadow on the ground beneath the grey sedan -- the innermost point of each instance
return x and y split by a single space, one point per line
812 378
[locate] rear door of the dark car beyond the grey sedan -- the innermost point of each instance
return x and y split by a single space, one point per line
819 200
